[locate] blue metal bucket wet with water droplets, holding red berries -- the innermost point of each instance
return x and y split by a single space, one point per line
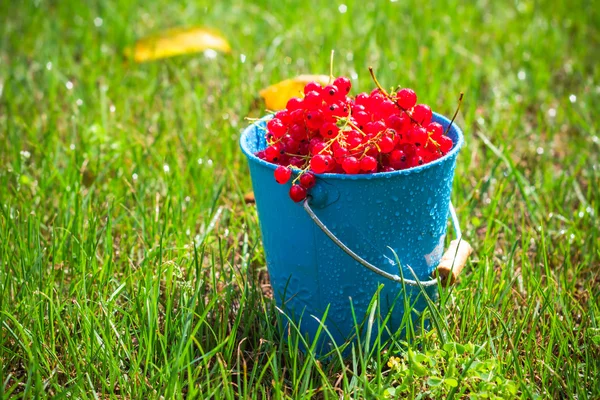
317 251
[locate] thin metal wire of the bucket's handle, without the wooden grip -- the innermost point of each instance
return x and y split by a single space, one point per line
365 263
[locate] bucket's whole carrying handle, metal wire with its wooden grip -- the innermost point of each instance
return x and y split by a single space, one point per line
450 266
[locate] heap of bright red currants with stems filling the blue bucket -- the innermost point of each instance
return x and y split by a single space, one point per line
326 131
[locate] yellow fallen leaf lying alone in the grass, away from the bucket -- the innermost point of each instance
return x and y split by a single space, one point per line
174 42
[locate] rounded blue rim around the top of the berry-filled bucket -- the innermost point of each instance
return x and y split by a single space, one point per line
436 117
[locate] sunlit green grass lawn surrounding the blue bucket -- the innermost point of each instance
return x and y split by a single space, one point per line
132 268
